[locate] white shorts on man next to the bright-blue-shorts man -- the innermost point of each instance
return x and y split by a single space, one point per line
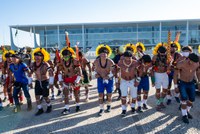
125 85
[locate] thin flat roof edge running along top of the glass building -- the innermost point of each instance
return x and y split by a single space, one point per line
102 23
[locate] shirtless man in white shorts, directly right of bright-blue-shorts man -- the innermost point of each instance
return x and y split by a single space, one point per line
129 77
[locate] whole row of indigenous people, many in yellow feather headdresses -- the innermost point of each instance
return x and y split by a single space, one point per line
131 71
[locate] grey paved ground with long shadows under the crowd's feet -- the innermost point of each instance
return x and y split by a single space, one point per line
87 121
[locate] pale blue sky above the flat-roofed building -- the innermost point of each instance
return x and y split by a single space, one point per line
25 12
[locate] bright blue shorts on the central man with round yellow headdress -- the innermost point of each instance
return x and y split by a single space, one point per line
104 86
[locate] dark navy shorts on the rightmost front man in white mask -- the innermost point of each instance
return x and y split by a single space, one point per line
187 91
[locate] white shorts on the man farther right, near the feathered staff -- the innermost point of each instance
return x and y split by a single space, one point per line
161 79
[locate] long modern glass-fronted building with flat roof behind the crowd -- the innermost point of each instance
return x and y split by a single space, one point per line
114 34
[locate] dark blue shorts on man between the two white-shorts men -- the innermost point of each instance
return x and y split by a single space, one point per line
144 84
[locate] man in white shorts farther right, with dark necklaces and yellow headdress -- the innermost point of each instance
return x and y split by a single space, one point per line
160 79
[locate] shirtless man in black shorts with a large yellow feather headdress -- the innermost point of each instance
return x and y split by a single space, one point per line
44 78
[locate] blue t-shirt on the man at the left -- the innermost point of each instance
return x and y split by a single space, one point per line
19 72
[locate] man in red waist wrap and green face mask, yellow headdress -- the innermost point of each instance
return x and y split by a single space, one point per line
69 76
